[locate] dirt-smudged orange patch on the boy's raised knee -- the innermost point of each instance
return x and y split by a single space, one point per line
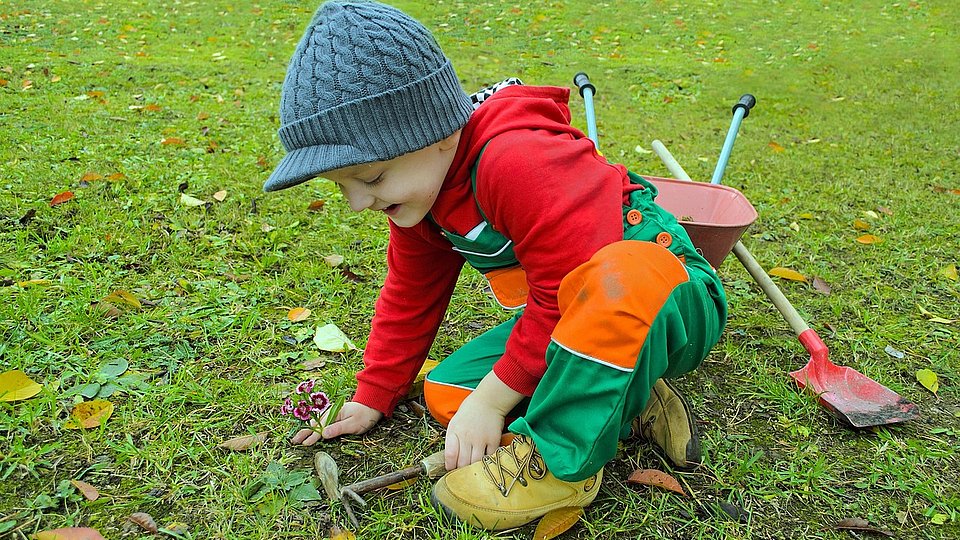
608 303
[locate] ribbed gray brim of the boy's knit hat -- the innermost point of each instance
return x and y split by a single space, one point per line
302 164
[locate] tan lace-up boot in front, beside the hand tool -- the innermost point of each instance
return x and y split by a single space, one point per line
510 488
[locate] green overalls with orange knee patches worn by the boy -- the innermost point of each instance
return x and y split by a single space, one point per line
583 404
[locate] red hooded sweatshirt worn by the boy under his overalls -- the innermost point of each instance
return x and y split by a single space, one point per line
541 184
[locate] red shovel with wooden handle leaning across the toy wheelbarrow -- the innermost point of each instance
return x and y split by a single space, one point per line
850 395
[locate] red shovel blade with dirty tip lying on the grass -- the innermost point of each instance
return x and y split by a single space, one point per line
852 396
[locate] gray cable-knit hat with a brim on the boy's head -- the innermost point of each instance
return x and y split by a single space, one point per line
366 83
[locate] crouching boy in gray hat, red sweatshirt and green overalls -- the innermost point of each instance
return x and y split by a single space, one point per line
614 295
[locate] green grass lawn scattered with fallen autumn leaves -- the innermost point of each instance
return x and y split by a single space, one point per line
860 96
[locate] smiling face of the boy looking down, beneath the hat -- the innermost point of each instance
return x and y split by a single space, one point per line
404 188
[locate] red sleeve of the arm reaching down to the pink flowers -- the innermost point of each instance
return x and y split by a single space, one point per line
422 271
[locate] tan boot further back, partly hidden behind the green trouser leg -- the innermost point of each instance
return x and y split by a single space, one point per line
668 422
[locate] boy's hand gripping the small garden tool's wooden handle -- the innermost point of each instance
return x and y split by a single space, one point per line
475 429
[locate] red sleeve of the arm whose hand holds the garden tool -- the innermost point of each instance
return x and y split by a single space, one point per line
560 202
